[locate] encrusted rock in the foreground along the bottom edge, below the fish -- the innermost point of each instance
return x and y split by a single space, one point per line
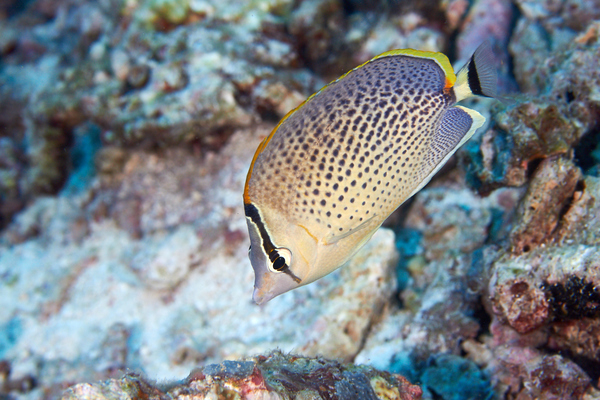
274 376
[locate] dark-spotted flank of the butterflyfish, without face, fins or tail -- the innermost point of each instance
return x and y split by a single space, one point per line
353 153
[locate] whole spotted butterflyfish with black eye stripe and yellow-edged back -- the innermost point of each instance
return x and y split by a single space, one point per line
338 165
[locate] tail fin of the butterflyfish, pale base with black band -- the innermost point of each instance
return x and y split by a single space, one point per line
478 76
